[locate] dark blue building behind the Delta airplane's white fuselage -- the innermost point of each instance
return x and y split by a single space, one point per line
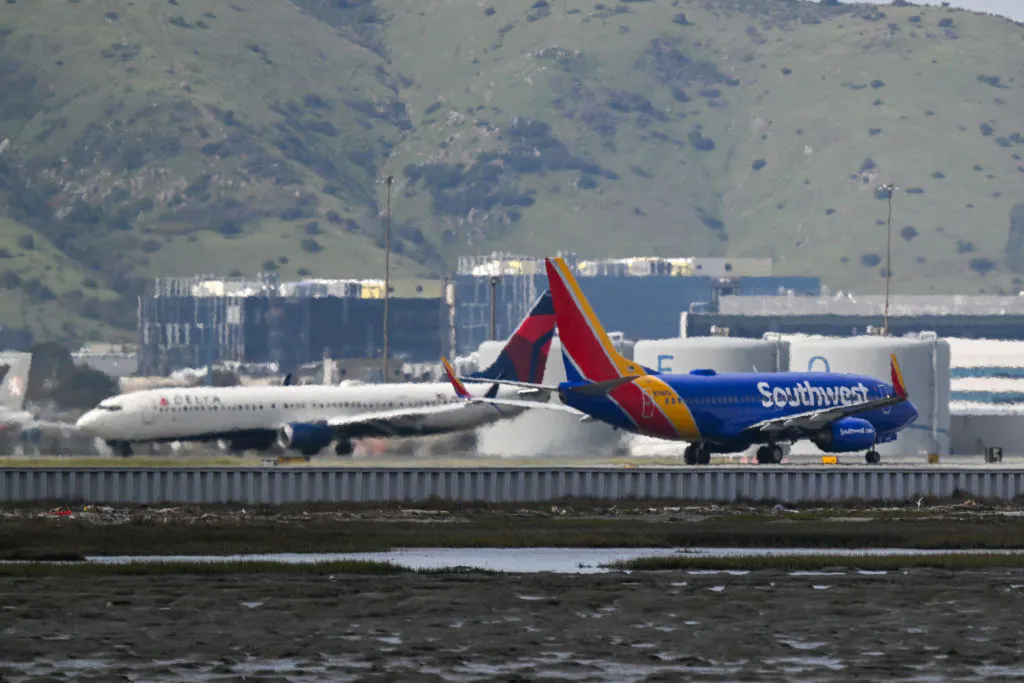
192 323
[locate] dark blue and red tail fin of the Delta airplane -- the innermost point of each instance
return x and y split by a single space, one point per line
526 355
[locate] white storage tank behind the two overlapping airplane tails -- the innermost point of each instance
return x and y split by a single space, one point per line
544 433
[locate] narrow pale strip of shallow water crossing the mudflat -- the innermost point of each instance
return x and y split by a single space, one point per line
529 561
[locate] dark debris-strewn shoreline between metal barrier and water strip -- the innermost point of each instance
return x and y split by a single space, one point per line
36 533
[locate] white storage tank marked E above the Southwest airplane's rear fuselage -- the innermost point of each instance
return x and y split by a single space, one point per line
723 355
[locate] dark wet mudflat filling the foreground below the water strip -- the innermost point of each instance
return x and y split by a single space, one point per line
763 626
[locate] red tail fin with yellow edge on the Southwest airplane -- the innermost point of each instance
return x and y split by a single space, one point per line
587 351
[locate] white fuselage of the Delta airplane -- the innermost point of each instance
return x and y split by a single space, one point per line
209 413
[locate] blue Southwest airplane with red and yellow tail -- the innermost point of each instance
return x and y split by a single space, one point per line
712 412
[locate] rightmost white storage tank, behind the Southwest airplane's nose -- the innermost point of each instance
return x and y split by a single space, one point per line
924 361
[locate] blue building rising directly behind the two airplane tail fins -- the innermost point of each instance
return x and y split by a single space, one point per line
637 296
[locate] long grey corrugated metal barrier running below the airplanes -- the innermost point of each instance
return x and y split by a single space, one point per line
273 486
